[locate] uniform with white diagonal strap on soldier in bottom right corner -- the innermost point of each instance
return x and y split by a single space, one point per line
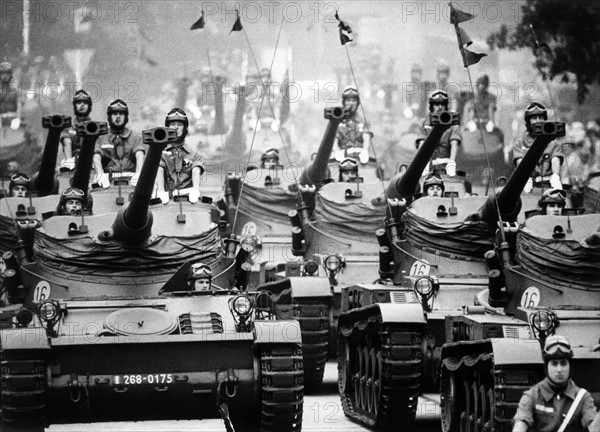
542 408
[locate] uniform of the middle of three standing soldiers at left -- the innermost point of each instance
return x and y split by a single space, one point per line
106 147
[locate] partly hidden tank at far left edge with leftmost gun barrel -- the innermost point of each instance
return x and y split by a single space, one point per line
44 188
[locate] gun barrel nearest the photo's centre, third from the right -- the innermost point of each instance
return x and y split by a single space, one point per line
317 171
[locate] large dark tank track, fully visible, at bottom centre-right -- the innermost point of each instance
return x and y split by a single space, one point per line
380 372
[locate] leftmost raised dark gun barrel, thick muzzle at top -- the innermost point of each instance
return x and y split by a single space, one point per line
45 182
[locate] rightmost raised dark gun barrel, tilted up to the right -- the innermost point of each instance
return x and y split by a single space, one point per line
509 201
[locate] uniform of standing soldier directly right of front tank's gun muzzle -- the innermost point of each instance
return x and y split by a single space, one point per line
189 160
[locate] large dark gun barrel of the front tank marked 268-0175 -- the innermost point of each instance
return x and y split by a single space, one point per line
133 223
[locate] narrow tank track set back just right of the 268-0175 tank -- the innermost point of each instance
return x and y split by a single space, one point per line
313 316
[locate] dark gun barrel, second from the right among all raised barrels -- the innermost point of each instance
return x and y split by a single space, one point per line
404 185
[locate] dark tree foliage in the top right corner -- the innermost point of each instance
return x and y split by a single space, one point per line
571 30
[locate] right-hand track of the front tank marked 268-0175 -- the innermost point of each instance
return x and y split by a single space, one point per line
282 388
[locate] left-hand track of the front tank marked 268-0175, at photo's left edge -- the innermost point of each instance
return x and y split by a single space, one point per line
23 389
